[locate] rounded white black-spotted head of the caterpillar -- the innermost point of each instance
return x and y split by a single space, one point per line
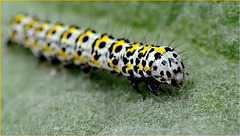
168 68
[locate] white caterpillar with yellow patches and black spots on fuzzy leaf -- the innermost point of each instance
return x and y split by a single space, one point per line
153 65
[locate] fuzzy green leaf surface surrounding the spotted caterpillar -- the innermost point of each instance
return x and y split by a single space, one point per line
35 102
